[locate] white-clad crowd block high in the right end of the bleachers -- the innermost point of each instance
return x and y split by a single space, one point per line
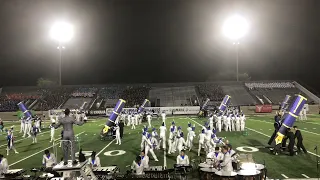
269 85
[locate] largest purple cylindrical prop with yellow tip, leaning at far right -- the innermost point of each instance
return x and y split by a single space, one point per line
290 118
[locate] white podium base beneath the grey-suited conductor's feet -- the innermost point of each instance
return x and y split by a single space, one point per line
80 169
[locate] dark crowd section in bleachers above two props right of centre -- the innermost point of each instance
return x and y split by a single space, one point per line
212 91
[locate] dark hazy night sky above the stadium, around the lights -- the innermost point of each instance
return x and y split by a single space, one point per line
118 41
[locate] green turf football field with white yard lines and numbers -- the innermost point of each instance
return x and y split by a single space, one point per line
259 130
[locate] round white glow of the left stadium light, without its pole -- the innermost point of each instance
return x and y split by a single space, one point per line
61 32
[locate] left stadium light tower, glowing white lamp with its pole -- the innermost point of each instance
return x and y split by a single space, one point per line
61 32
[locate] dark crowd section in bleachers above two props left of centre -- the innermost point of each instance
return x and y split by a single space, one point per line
135 95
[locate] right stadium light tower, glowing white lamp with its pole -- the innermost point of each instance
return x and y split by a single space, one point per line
235 28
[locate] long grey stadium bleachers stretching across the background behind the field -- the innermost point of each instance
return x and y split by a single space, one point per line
188 94
